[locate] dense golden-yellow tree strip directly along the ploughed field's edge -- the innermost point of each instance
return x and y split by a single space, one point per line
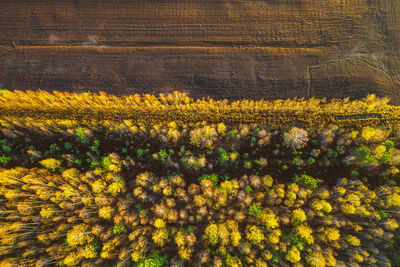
150 109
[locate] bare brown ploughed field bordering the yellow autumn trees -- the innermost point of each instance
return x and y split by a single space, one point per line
224 49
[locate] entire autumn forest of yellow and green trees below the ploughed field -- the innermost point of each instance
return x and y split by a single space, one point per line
141 180
